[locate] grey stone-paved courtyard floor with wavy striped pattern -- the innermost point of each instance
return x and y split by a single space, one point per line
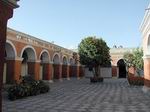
113 95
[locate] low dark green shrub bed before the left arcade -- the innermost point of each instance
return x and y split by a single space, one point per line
27 87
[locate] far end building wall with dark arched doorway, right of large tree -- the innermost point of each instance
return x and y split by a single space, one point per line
117 62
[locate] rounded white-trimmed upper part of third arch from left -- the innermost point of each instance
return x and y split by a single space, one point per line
44 56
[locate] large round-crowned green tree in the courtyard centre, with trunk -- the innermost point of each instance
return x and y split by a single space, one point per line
93 53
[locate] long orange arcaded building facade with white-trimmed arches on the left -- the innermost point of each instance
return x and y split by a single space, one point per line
27 55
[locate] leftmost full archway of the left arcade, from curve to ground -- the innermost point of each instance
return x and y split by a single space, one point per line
10 54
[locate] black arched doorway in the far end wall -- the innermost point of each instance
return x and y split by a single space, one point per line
122 68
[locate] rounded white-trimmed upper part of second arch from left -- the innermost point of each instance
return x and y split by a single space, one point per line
32 56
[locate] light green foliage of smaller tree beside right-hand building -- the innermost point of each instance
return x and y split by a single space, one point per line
134 59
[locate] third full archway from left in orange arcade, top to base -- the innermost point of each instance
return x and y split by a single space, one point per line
44 58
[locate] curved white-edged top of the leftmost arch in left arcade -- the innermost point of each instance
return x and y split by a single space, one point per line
10 49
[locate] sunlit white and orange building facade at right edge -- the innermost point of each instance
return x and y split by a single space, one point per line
145 30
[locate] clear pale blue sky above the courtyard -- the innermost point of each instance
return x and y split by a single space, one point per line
67 22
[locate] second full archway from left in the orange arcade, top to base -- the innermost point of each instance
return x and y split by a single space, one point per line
28 63
